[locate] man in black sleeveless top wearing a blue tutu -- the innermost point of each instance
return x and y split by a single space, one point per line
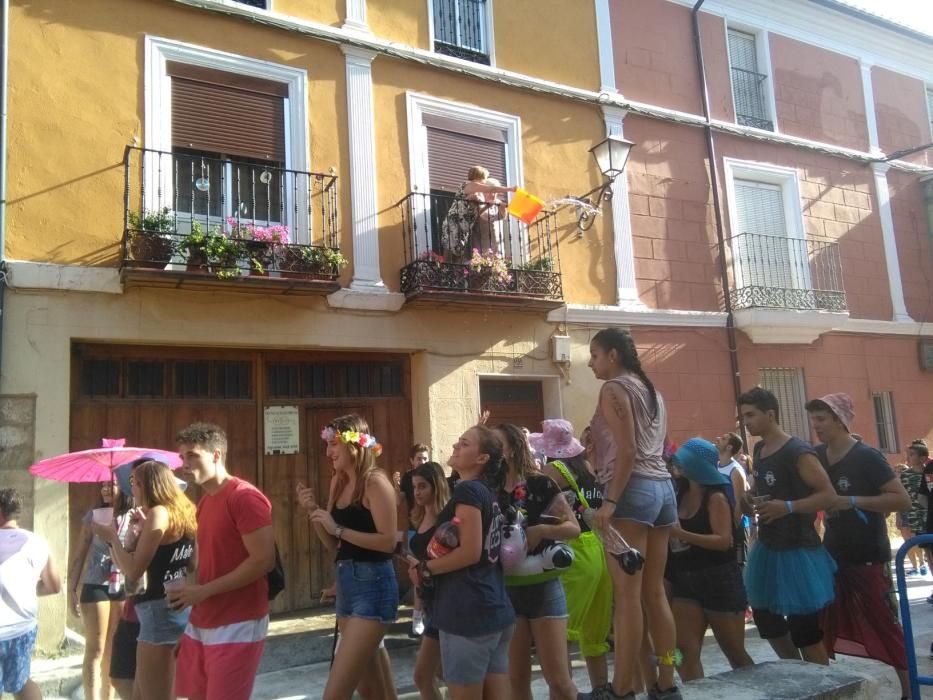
789 575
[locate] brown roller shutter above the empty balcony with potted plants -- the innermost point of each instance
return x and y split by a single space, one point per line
227 114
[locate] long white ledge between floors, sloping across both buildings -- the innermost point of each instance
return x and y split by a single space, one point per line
525 82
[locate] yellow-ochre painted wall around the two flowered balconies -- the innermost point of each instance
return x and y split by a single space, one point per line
66 176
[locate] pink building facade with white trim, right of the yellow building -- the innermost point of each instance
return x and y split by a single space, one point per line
827 248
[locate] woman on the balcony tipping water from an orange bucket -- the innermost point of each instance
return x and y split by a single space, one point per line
474 210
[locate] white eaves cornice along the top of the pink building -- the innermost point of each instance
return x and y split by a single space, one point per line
812 24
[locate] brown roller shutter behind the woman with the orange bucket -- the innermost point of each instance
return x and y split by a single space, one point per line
452 154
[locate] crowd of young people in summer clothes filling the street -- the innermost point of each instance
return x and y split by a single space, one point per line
691 513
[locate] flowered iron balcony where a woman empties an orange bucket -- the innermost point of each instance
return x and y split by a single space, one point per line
506 263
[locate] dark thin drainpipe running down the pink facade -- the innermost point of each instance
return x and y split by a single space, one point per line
717 209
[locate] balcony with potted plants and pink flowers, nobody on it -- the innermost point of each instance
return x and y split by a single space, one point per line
197 221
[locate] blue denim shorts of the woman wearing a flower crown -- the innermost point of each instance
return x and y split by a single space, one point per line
367 589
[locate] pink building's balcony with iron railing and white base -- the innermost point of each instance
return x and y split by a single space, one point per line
786 289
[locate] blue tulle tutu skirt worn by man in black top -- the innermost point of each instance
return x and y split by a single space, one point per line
790 581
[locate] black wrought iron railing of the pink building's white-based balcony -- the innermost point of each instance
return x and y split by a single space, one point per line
775 272
